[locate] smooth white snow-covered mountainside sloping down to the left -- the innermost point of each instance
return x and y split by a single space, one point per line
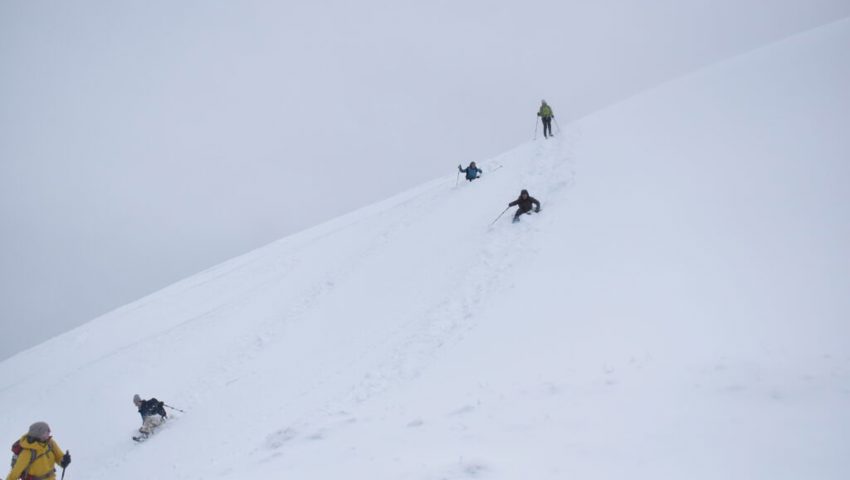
679 309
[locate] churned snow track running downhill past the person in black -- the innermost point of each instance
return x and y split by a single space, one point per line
413 344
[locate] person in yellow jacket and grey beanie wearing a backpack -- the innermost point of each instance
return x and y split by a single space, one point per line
38 455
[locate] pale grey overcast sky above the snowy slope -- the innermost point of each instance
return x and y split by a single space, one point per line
143 141
